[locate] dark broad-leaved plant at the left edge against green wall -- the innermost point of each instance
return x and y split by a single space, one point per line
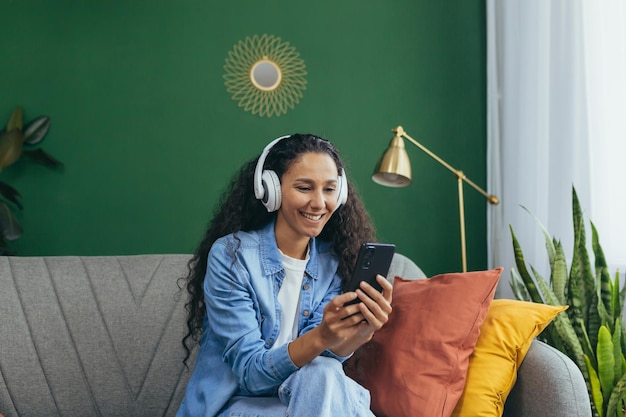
16 141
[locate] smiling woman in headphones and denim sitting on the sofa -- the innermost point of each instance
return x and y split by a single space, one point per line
265 290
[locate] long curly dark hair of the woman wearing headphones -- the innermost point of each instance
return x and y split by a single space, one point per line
238 209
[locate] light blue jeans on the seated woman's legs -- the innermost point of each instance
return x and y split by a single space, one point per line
318 389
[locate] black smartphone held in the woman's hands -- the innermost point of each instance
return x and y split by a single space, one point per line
373 259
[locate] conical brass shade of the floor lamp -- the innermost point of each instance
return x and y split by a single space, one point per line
394 168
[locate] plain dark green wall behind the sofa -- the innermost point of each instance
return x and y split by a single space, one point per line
149 135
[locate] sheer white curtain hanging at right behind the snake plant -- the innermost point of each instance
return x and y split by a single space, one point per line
556 119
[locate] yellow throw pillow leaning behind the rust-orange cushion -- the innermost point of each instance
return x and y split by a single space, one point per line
505 337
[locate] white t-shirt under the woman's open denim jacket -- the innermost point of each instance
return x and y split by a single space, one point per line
289 298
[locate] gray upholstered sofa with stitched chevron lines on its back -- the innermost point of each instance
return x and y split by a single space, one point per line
100 336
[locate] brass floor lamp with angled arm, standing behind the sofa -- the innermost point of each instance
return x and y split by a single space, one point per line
394 170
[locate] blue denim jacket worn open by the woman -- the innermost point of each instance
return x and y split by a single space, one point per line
236 354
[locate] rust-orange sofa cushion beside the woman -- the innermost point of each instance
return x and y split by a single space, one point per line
416 364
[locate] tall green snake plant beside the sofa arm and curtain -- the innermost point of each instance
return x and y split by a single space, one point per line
592 332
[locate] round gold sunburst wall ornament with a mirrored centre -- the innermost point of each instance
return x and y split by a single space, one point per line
265 75
